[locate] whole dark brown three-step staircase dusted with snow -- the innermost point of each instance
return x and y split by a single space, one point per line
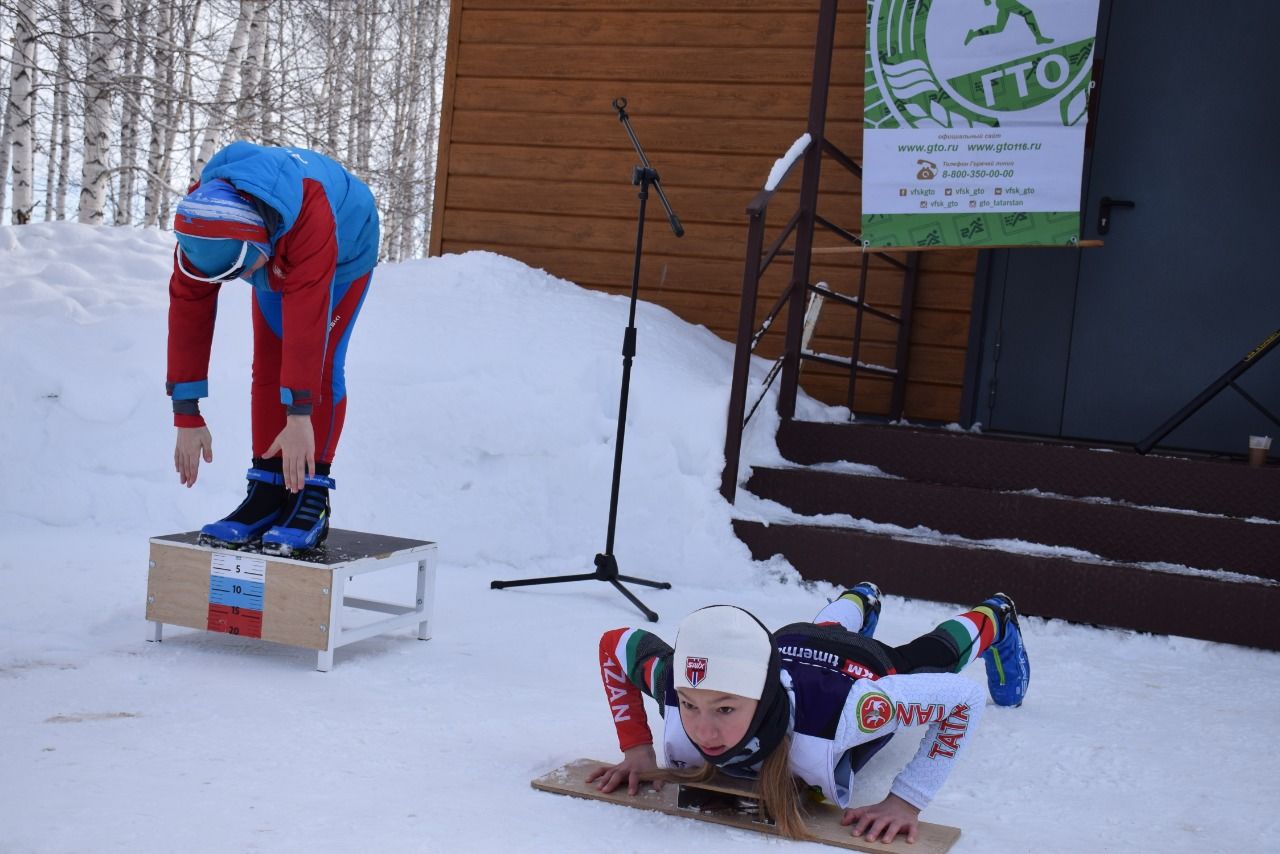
1139 563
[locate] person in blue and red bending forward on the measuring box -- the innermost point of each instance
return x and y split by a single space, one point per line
304 232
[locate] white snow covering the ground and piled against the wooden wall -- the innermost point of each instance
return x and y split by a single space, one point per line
483 415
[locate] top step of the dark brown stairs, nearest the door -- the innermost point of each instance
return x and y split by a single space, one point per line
1009 464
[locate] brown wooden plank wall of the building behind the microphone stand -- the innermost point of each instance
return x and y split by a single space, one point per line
536 166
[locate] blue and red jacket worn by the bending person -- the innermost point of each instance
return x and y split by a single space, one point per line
323 227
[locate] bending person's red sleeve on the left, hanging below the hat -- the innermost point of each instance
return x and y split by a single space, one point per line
193 309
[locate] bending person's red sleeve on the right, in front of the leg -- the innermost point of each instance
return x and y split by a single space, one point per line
303 271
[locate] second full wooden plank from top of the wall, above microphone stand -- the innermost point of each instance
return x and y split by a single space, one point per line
760 66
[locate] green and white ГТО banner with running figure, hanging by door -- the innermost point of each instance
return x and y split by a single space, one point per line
975 121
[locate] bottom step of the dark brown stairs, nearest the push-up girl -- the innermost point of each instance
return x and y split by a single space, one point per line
1109 595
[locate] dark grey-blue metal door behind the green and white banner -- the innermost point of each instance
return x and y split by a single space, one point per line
1107 344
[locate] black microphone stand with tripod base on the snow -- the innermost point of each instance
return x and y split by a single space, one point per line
606 564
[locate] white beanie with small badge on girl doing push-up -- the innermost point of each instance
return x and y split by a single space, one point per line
724 649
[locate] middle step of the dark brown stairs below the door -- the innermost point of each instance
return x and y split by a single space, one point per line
1113 532
